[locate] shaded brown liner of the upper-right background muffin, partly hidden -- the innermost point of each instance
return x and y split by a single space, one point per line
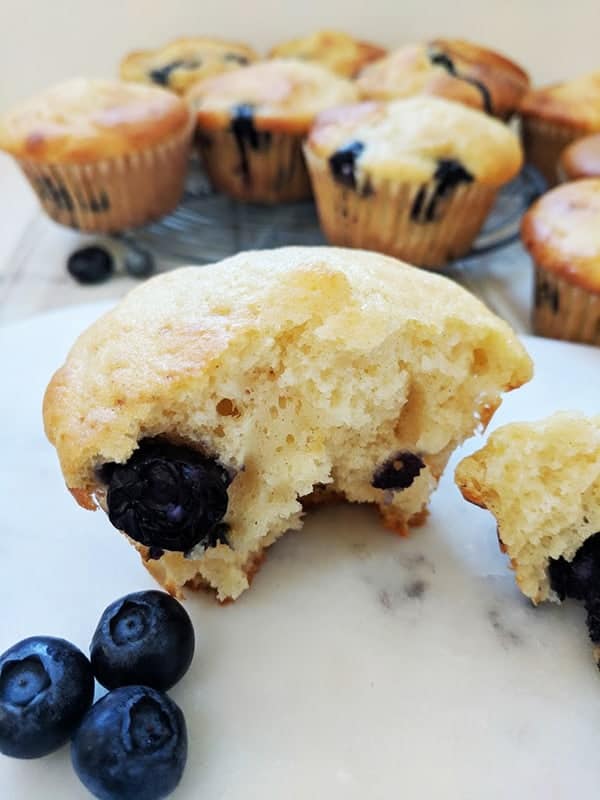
544 142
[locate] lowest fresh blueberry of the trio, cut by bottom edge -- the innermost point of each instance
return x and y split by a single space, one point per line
131 745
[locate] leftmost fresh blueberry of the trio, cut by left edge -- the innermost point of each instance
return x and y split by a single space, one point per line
46 686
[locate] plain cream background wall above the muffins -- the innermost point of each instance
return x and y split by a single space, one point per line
42 41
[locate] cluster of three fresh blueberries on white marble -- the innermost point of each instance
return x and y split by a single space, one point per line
132 743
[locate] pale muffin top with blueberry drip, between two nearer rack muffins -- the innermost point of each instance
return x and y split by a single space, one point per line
282 94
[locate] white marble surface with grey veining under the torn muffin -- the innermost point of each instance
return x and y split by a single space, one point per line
359 665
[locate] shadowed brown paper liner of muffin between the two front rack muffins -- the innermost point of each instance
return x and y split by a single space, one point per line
266 168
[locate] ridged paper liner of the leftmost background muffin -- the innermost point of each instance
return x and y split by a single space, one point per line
116 193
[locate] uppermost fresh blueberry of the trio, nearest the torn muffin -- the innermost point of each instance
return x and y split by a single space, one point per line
145 637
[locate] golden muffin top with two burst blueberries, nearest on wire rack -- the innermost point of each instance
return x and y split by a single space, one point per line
412 140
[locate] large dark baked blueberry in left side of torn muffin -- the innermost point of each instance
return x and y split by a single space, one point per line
168 496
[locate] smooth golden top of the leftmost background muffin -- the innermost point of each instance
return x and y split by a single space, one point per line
86 120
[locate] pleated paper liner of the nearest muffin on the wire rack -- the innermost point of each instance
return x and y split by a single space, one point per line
393 218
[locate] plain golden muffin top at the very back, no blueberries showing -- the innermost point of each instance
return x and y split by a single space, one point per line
339 52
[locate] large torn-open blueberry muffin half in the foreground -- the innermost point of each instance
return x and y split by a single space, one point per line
210 404
